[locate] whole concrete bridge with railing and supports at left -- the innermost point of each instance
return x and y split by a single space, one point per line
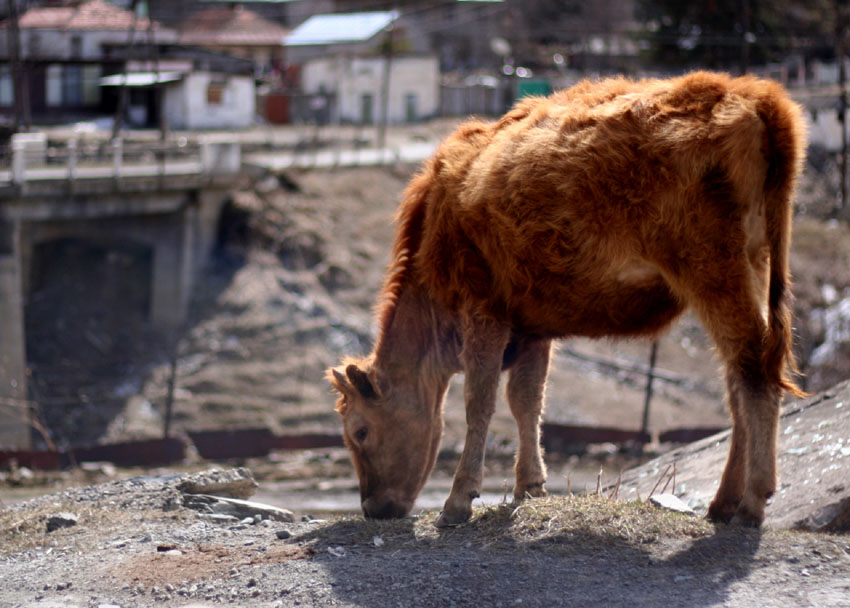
166 202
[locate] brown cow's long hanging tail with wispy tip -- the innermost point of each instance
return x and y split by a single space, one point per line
785 145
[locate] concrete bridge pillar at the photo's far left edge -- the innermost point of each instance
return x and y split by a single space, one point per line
14 409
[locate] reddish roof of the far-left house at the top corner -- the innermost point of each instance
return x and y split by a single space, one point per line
90 15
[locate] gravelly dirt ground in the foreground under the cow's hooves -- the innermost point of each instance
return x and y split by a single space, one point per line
135 544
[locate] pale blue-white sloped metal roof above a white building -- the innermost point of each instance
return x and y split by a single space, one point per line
342 28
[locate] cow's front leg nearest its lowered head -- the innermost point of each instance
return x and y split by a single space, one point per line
483 345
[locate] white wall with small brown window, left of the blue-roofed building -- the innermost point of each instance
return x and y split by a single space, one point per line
186 105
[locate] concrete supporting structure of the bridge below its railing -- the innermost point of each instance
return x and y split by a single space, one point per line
180 229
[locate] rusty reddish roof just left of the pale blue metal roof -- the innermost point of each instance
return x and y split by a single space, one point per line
231 26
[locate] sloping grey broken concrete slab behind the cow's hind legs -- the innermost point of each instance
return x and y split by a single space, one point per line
814 467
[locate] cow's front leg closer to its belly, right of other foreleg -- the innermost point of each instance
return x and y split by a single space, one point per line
525 390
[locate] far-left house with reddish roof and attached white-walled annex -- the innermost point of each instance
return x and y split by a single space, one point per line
76 59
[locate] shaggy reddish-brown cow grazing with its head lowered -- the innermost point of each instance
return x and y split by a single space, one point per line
602 210
